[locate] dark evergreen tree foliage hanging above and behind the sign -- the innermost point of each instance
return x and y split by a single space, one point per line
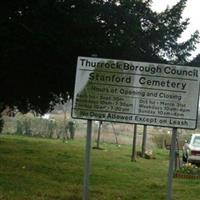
41 39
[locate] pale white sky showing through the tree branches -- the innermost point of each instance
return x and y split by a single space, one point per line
191 11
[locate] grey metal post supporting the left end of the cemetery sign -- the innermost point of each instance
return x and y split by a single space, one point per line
87 161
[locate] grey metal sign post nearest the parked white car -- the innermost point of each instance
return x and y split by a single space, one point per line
171 164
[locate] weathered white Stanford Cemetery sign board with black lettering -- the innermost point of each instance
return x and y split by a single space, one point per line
136 92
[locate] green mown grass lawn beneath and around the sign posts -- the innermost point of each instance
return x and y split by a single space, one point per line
47 169
